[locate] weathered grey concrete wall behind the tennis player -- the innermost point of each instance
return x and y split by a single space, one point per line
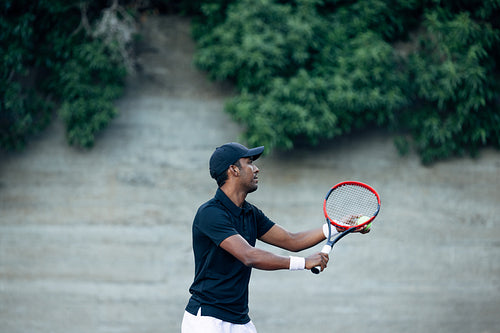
99 240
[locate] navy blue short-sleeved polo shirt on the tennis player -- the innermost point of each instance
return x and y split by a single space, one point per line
220 284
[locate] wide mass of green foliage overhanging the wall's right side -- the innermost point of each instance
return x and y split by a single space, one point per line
312 69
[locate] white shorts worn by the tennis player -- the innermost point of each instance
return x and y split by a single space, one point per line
205 324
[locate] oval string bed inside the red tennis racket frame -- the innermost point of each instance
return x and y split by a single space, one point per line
347 203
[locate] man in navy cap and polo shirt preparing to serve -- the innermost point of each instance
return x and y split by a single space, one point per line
225 230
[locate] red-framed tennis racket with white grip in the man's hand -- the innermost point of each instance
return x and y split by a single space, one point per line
349 206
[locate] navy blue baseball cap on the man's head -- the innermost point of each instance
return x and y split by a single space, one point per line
227 154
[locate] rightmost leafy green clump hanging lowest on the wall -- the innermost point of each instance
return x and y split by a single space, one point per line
457 97
